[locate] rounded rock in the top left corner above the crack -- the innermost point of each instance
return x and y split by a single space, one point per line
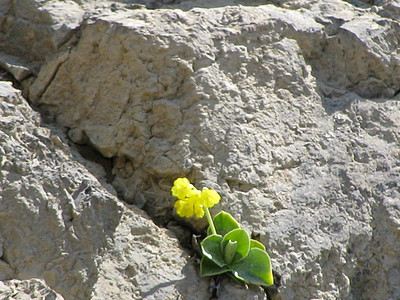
36 29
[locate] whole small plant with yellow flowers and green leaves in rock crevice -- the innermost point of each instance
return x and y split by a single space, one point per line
227 247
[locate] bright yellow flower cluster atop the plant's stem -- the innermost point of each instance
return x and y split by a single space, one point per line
191 201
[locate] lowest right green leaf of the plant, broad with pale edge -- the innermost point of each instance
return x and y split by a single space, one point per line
255 268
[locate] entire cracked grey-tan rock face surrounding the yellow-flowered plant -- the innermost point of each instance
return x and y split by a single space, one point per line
290 110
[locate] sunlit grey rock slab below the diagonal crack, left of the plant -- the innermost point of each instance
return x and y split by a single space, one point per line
59 224
